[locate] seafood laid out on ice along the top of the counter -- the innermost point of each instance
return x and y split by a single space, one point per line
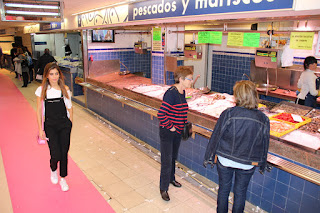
282 123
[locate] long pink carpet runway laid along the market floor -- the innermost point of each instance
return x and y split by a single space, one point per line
27 164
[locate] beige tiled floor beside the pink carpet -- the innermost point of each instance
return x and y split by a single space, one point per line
125 176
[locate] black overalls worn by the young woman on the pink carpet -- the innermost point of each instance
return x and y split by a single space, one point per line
57 127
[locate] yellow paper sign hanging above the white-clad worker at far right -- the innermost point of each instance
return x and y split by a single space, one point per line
301 40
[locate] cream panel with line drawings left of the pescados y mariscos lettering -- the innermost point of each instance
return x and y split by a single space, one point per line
111 15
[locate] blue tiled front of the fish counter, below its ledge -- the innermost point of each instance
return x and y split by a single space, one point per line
277 191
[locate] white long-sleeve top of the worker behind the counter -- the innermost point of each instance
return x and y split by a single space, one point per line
307 83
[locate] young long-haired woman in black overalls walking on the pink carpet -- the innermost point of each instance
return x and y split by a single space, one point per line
55 97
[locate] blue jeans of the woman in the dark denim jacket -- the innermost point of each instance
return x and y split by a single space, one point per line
242 179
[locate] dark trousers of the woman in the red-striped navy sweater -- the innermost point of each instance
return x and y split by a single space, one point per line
169 147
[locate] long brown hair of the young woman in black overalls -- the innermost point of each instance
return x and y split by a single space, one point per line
46 83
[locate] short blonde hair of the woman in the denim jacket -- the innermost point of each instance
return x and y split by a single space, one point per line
246 94
